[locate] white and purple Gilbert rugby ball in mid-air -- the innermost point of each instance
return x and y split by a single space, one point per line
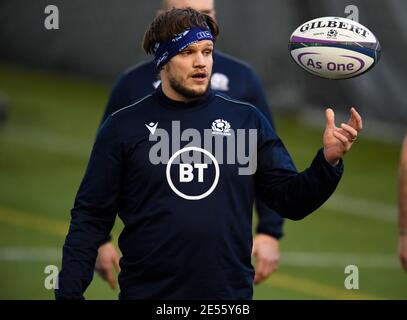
334 48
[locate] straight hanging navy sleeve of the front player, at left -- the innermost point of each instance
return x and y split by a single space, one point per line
93 214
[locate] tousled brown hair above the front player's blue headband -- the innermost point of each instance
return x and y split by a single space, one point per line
170 23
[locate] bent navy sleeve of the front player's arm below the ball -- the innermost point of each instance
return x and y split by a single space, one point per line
294 195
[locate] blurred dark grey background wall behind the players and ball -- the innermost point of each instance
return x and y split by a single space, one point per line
100 39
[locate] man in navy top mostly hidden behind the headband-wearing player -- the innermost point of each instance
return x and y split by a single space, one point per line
239 81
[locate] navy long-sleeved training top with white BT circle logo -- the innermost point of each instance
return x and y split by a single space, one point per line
173 247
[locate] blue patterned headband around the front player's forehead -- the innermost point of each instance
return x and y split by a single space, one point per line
164 51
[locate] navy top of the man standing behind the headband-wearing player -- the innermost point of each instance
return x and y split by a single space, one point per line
229 76
